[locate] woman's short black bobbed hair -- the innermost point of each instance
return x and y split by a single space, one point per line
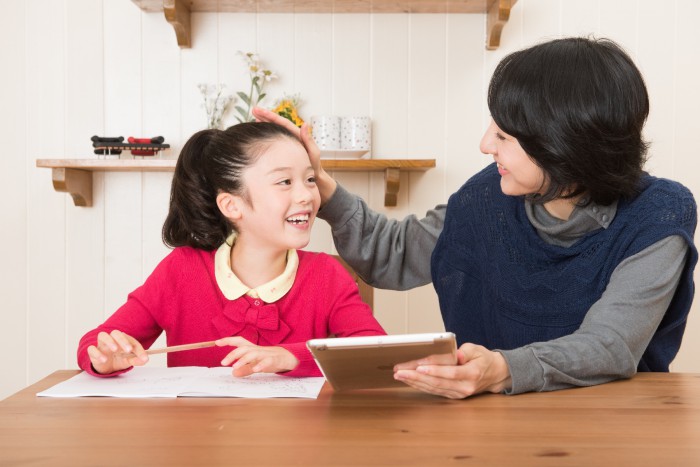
577 107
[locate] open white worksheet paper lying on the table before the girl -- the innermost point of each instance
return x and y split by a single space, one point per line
142 382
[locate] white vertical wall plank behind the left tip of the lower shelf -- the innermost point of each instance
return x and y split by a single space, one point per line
46 247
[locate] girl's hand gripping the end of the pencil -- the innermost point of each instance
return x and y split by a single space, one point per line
116 351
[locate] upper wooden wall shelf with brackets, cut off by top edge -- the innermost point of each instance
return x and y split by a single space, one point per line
177 12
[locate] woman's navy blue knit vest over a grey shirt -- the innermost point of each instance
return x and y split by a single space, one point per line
501 286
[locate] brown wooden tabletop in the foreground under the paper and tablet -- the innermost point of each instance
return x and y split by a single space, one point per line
653 419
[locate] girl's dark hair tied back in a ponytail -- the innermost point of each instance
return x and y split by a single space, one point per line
212 162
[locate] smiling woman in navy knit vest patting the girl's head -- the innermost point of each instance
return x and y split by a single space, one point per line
562 264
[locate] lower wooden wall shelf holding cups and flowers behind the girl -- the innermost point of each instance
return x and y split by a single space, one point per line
74 176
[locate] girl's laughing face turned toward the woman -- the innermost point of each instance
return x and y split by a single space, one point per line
281 199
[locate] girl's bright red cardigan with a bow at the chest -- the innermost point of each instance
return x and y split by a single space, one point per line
182 298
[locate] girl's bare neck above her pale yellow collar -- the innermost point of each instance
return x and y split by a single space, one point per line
256 266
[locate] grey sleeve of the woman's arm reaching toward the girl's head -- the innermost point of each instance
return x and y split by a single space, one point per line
386 253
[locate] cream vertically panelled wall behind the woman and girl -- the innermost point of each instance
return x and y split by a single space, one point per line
75 68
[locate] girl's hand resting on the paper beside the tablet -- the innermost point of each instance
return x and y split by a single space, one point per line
249 358
